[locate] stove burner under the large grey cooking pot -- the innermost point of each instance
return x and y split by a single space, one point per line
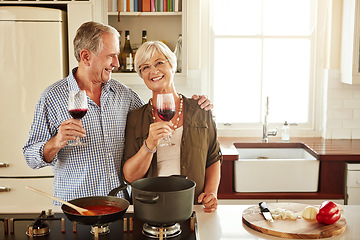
167 231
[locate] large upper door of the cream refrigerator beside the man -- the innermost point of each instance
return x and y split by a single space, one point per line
35 58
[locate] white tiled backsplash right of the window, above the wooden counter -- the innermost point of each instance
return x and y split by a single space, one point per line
342 111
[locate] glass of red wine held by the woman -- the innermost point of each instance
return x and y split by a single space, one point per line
165 106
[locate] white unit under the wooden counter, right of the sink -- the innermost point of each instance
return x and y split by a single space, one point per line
352 191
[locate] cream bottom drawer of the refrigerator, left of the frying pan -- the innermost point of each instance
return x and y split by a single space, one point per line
19 196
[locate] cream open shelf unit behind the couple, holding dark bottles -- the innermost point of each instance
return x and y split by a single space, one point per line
162 26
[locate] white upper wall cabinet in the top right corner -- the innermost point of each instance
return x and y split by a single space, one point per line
350 66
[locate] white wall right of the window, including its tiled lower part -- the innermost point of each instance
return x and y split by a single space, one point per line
341 102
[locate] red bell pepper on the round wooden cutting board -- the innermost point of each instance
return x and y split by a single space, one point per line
329 213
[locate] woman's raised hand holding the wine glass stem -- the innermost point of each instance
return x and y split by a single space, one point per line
157 131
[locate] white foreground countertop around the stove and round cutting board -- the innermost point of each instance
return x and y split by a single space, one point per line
226 222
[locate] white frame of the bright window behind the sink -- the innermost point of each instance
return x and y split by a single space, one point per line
312 128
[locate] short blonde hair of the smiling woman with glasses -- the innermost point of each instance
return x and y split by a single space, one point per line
148 49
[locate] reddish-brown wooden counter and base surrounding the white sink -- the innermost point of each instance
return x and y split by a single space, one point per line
332 154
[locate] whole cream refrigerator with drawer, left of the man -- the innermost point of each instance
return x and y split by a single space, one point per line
34 54
